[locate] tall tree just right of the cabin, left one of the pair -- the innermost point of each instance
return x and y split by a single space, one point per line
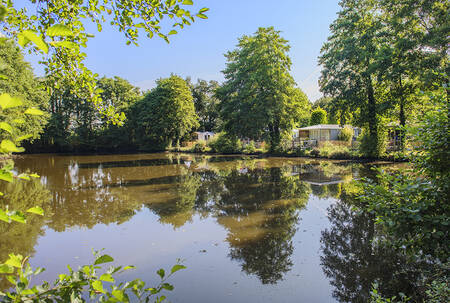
350 64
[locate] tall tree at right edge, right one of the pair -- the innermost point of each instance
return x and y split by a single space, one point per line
413 51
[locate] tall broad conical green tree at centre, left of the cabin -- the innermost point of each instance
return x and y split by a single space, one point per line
259 97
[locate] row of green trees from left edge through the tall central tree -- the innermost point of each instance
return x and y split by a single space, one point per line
259 100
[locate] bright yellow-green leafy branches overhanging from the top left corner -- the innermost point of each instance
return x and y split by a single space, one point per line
57 29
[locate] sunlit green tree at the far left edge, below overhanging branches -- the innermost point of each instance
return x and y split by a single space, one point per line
20 82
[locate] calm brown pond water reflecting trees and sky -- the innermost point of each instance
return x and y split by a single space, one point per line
248 229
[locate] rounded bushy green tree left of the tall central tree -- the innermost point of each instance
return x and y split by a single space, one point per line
165 114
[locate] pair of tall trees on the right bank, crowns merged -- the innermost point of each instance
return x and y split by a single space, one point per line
380 55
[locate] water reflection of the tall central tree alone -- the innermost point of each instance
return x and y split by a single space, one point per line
260 210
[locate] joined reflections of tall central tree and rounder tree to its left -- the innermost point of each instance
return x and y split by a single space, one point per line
258 206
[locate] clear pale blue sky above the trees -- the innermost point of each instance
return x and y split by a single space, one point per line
197 51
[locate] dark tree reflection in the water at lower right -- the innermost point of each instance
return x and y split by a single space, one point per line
353 259
